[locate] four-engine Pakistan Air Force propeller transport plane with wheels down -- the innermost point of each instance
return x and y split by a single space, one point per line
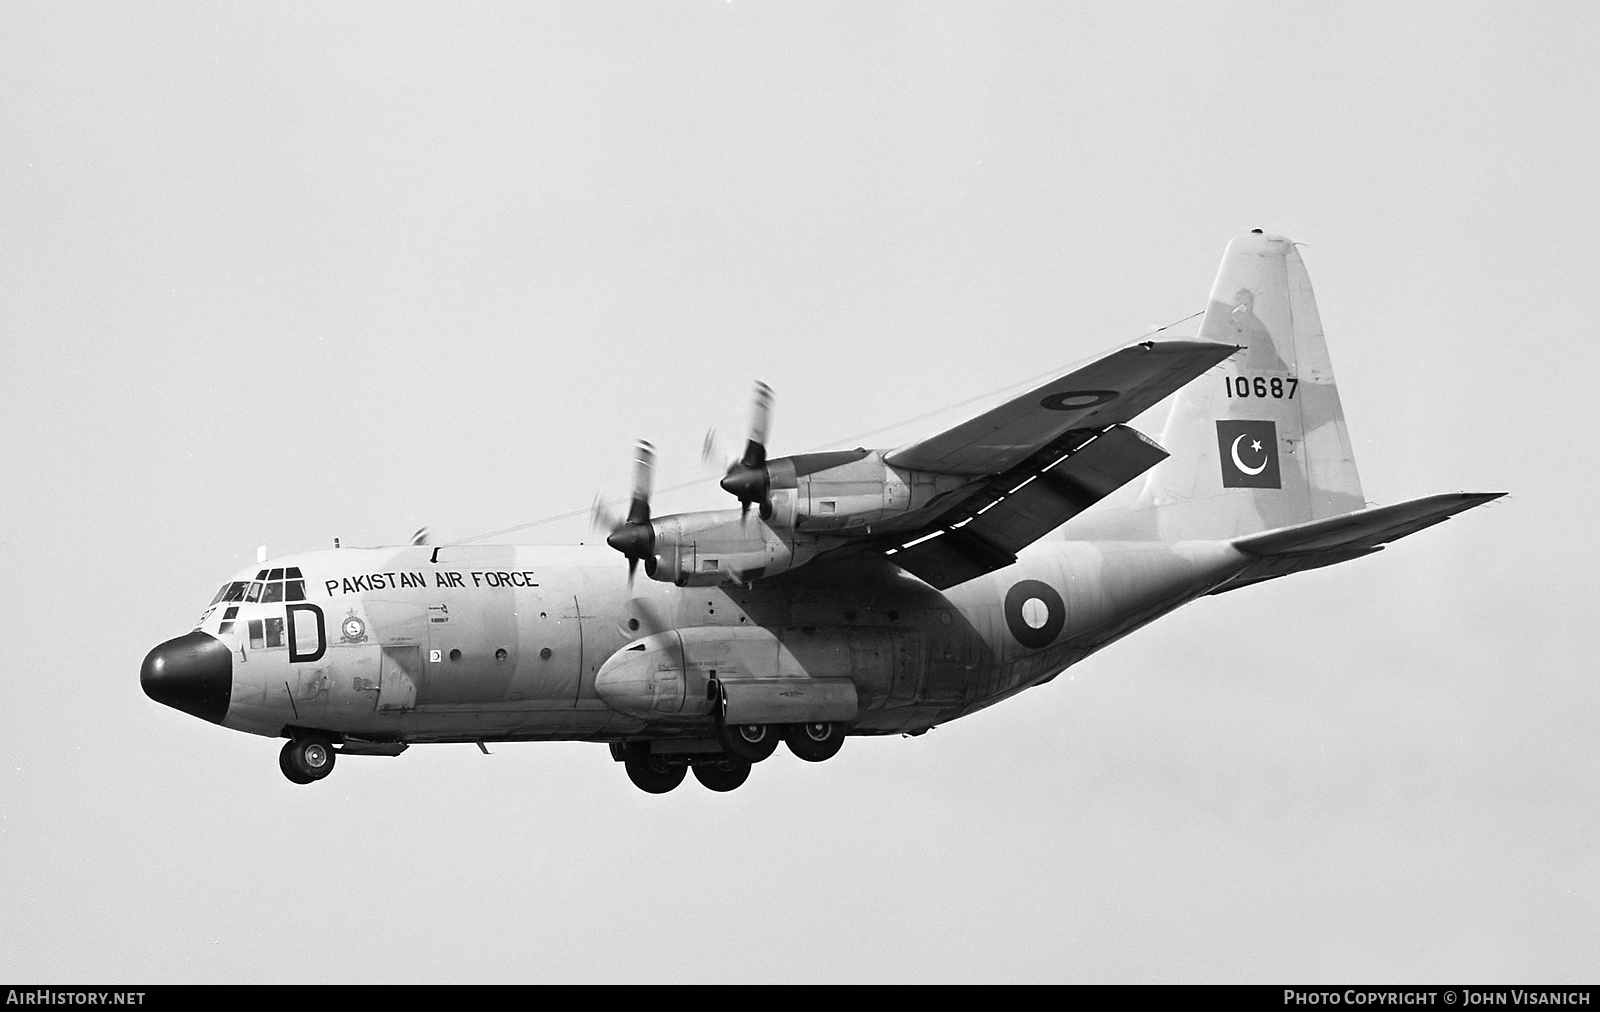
849 593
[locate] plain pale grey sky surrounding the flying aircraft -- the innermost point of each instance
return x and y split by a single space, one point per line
279 273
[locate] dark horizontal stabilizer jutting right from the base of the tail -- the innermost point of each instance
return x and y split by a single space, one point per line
1319 544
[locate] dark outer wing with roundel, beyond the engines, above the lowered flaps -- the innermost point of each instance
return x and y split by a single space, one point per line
1105 393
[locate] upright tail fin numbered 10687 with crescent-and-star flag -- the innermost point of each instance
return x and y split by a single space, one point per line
1258 443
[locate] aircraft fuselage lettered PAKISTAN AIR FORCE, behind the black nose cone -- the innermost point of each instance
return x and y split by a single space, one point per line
503 645
